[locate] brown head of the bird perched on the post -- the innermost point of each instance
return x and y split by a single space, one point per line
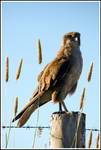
71 38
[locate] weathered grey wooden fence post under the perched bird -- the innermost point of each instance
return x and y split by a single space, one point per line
63 127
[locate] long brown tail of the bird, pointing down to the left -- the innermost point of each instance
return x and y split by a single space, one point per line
31 106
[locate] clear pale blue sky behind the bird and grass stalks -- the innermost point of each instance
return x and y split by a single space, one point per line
22 24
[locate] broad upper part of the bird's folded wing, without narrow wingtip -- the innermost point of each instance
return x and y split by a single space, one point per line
55 71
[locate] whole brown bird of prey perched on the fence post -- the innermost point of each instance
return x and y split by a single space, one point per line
58 79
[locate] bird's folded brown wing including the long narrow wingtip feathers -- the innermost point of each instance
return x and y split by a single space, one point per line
55 71
